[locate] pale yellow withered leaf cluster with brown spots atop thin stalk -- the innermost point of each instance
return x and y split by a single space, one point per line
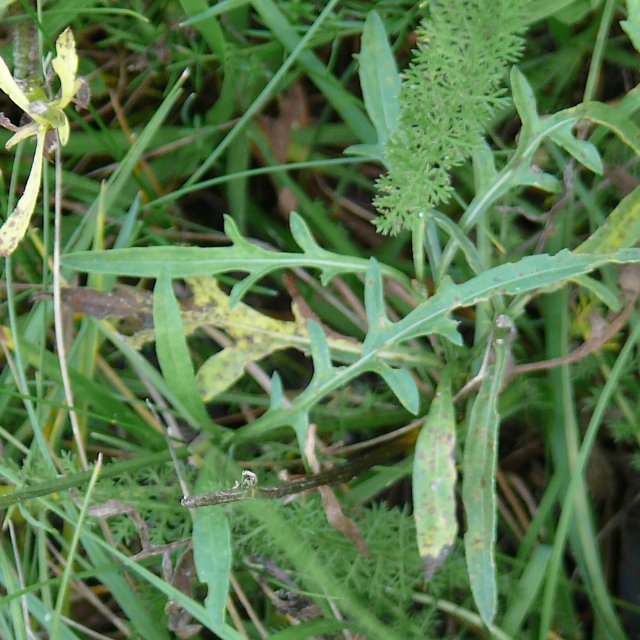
46 117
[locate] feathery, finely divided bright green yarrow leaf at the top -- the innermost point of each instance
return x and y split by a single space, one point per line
448 94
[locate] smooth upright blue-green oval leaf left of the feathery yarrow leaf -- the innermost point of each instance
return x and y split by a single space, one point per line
379 78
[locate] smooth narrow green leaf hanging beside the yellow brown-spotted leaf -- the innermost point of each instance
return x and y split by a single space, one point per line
172 351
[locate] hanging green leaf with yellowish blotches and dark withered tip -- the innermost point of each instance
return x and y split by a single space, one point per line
434 481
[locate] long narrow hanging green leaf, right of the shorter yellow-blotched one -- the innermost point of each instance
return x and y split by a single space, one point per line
478 486
